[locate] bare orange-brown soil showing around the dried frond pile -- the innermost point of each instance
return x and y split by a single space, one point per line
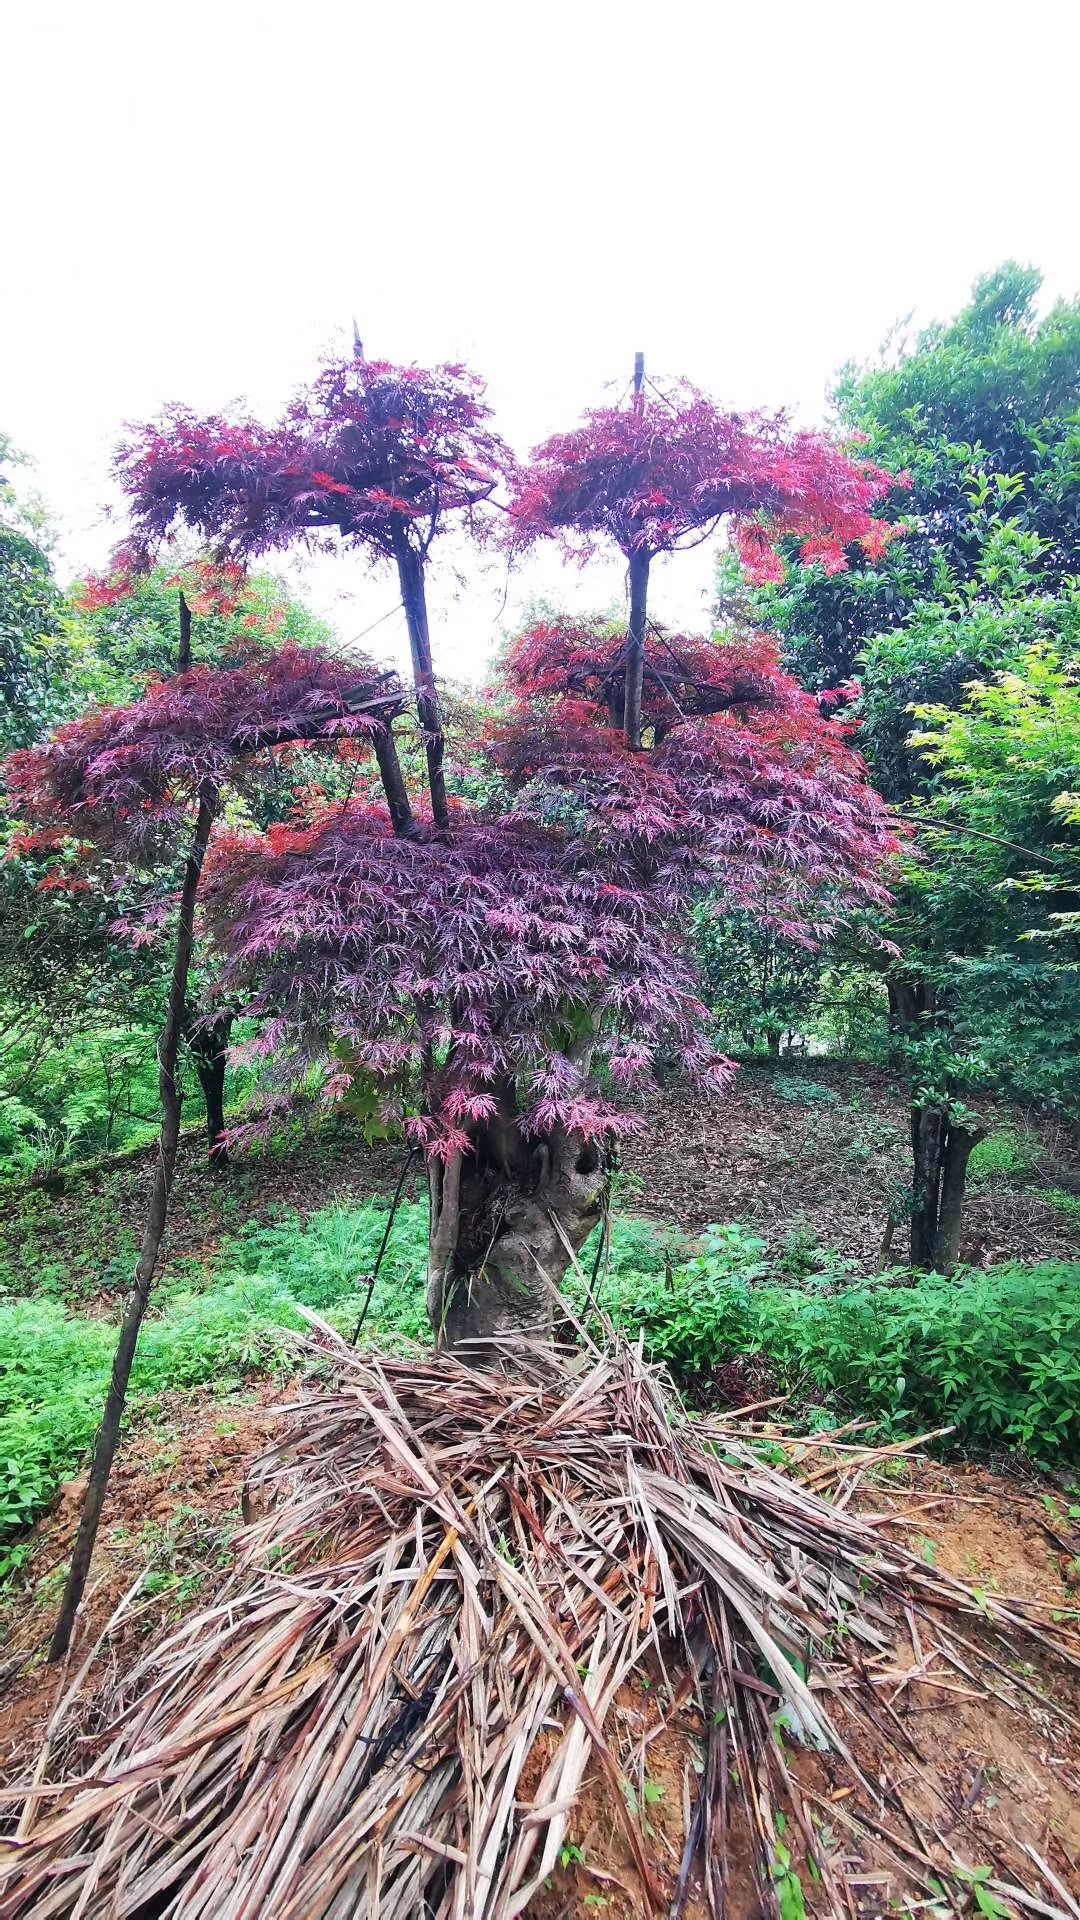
991 1769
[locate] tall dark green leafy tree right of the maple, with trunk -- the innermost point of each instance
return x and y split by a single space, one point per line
983 416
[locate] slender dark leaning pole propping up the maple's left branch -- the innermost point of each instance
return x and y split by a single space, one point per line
157 1214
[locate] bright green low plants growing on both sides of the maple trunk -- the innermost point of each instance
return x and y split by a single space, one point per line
994 1355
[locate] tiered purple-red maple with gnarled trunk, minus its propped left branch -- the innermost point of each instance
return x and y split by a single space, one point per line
503 974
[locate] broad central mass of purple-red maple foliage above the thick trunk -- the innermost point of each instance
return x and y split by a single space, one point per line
537 959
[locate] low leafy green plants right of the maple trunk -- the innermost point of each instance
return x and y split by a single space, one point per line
993 1355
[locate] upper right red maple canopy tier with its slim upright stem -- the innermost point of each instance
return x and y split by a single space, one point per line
666 471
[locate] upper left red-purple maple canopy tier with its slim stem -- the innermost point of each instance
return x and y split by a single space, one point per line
372 454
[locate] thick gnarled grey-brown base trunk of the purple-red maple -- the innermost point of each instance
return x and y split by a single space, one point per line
506 1224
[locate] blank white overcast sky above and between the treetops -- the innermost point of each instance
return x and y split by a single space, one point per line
199 197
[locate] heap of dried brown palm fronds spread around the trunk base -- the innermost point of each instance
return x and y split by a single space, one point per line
393 1702
